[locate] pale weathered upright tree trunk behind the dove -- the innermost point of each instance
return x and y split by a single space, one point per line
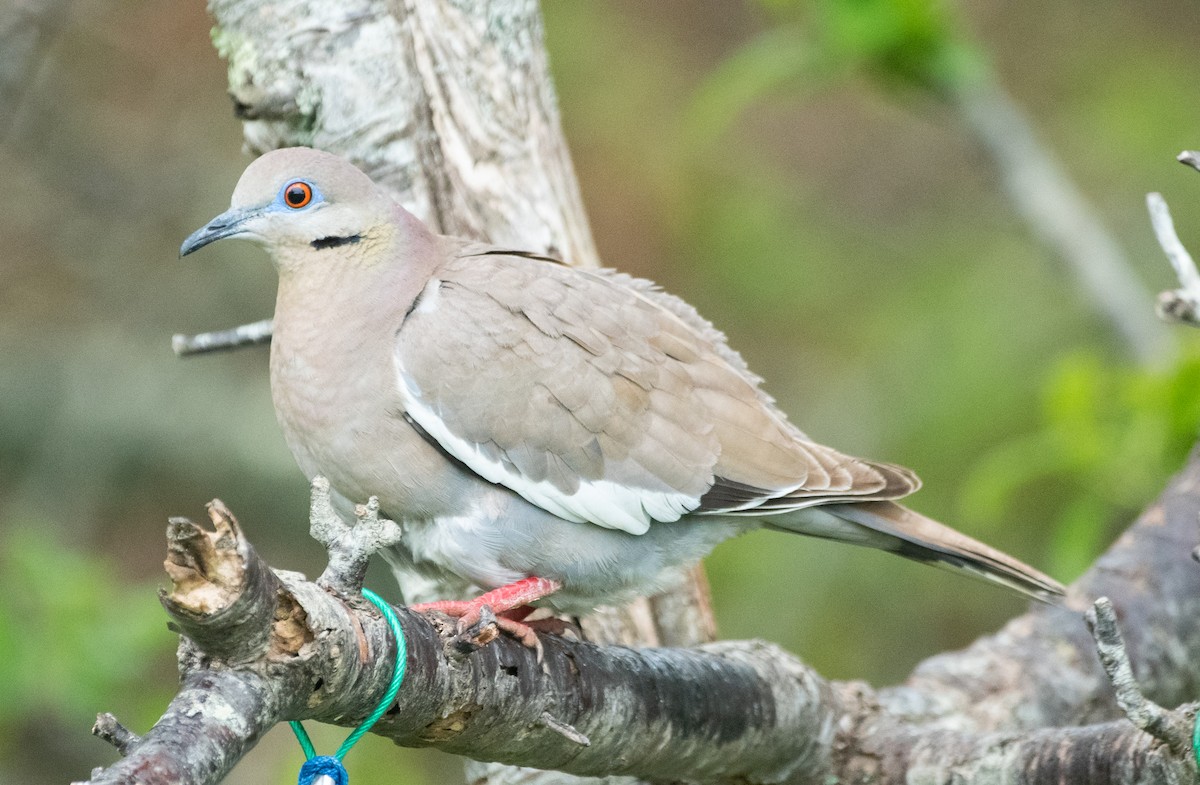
452 106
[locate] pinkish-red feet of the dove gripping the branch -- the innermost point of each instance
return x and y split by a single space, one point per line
505 608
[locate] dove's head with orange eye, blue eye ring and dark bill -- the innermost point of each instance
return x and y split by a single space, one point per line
299 203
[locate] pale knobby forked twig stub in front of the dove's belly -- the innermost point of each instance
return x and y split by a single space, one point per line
350 547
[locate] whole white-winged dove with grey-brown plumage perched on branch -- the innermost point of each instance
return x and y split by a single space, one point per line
545 434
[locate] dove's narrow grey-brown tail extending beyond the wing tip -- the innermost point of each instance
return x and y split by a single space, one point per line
892 528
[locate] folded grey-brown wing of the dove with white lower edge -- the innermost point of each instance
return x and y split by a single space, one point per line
603 400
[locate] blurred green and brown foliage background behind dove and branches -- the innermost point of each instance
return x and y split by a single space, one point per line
794 169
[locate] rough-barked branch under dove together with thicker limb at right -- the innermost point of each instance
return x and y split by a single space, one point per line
1031 705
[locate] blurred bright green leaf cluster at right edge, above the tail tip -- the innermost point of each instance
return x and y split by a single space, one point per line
1109 436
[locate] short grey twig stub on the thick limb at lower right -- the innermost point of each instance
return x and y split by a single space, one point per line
1144 714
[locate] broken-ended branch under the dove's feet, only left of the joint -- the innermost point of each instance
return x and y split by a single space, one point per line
279 648
